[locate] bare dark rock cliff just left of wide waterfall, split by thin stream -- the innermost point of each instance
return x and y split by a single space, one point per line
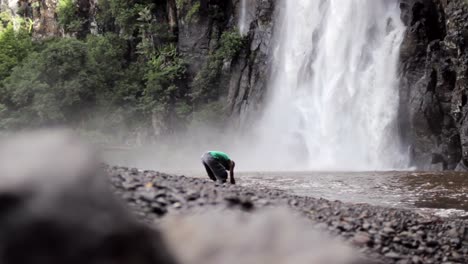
244 77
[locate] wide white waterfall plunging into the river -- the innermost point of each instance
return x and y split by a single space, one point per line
334 90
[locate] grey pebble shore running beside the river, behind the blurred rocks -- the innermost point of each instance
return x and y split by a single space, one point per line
388 235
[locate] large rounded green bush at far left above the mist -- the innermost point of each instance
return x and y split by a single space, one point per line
51 86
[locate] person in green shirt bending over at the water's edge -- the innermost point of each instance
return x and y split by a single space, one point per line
217 164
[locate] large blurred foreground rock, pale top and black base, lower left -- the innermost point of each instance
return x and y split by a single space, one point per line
56 208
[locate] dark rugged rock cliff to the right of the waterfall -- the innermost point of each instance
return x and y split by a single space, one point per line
434 62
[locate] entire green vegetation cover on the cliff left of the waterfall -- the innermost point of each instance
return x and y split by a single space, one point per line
127 77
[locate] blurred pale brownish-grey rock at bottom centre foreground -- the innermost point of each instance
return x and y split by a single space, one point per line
274 236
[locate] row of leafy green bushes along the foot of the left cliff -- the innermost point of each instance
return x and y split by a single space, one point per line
71 80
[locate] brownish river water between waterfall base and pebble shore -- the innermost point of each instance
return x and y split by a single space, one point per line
441 193
